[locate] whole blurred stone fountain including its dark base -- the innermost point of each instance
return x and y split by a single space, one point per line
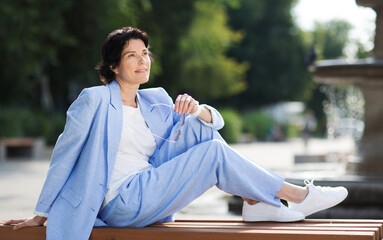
364 172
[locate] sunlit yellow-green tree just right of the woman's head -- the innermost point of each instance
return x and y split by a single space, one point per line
189 40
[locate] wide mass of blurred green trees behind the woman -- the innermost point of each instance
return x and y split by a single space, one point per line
212 49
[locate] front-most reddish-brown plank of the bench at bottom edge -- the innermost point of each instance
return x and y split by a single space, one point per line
224 234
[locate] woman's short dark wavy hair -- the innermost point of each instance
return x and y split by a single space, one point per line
112 49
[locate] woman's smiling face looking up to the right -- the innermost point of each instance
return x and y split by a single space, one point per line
134 67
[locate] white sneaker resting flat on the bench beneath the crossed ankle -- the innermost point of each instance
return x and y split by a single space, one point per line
265 212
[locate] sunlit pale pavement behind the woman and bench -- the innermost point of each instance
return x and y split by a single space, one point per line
22 180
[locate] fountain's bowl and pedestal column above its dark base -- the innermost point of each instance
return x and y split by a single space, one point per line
367 74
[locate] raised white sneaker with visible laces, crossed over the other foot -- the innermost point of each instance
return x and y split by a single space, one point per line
319 198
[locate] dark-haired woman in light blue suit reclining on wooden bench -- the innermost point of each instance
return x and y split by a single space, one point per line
130 157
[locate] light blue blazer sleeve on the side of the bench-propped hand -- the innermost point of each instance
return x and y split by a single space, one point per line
67 150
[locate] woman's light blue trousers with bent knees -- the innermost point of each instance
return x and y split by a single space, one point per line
182 172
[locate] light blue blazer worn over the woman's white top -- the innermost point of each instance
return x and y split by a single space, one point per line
84 156
